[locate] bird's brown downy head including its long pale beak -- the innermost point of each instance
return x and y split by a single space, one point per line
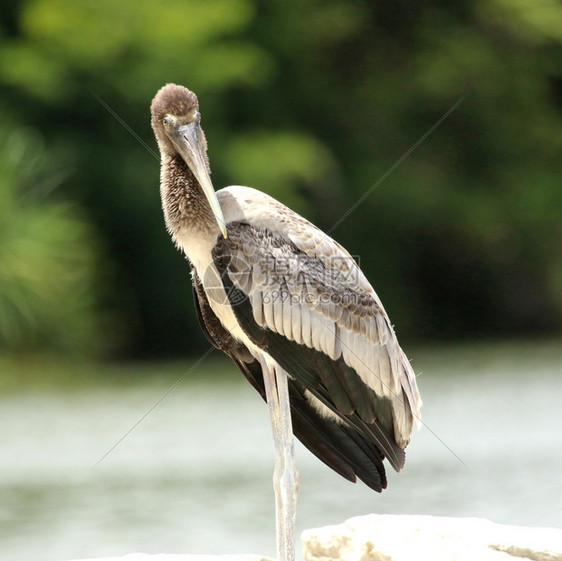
176 122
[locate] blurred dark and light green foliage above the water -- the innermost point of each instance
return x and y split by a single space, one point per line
310 101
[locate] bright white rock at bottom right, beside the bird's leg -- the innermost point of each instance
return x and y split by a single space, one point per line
430 538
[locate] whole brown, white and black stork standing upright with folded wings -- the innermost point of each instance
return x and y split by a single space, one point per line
293 310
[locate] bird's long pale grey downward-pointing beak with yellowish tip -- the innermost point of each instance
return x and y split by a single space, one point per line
186 139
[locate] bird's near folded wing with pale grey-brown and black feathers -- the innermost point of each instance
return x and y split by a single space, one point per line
313 311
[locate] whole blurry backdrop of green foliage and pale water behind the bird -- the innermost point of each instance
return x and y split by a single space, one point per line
312 102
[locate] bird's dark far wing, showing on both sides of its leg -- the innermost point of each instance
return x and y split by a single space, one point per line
341 448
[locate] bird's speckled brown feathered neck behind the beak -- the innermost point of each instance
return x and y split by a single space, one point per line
186 209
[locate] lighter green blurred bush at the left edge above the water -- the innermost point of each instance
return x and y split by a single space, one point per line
47 257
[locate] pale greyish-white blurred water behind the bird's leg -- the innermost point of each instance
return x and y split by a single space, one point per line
195 475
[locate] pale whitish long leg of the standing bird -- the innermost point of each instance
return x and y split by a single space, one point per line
285 473
